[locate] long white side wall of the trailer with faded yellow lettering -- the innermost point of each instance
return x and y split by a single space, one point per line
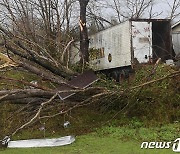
115 43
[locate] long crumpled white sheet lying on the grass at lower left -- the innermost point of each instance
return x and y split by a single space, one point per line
33 143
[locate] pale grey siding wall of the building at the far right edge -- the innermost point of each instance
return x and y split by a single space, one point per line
176 42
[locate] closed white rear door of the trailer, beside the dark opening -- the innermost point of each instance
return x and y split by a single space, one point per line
142 41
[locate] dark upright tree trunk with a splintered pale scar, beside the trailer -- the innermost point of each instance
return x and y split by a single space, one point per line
84 41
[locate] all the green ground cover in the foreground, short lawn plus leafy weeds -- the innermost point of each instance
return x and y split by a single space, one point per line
112 140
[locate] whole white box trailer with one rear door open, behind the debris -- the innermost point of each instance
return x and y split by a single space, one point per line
117 49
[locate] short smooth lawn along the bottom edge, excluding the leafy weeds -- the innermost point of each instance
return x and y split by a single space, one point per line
88 144
